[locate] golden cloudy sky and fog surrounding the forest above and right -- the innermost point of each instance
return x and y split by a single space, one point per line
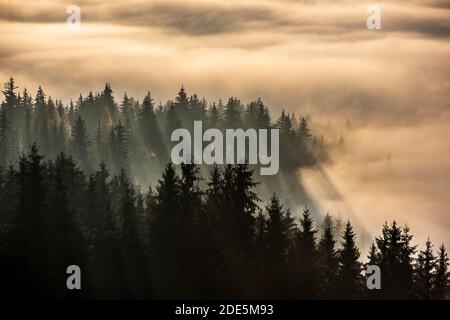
307 56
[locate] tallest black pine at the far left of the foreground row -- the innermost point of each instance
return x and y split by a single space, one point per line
30 239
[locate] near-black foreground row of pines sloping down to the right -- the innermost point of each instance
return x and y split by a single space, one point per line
179 241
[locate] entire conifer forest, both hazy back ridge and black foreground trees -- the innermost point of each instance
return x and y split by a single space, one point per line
91 184
